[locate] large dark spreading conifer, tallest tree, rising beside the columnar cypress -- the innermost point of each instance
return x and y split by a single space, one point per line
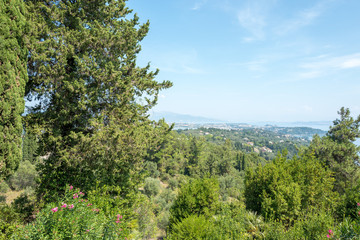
93 99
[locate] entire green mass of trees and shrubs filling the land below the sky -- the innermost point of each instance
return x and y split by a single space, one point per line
88 126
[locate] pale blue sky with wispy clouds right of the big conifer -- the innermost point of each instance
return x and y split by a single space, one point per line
254 60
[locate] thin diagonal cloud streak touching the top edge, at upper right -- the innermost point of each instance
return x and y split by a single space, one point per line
304 17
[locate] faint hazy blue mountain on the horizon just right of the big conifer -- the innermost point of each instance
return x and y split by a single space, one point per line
182 118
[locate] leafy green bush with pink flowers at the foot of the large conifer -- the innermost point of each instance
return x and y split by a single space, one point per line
73 218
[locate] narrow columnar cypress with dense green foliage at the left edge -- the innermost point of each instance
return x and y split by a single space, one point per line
13 77
